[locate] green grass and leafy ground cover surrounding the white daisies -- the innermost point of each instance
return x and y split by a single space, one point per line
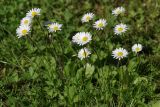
46 72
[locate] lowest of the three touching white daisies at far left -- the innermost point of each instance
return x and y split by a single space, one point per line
22 30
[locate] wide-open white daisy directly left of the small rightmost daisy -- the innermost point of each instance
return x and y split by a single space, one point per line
119 53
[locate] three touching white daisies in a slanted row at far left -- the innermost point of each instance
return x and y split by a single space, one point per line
25 25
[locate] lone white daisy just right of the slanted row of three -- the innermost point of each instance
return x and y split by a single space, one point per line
53 27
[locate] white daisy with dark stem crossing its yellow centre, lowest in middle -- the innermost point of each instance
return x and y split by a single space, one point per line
83 53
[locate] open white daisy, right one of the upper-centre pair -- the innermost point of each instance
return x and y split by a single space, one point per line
100 24
